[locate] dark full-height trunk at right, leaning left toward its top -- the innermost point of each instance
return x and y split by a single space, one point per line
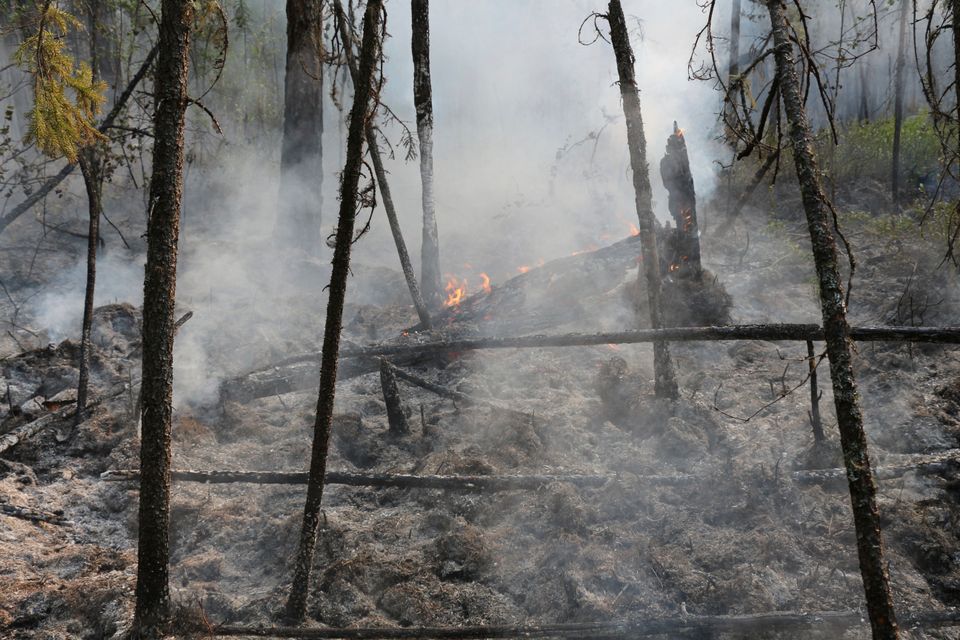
853 440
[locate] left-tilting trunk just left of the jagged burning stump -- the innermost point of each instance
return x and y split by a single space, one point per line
665 382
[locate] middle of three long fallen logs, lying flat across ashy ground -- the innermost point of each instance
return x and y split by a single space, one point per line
919 464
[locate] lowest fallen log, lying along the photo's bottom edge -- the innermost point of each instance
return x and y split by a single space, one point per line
749 623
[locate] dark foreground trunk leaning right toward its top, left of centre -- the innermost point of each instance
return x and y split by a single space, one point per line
359 113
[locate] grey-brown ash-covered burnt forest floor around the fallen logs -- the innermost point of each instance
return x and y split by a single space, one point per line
744 539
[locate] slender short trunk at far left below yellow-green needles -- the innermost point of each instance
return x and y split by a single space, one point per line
92 171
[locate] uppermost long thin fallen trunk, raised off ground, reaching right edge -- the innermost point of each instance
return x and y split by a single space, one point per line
799 332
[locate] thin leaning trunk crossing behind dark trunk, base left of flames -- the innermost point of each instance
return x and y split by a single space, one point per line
344 31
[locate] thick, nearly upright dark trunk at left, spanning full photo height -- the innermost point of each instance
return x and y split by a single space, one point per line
159 294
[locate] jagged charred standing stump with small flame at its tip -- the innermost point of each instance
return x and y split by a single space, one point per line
682 202
